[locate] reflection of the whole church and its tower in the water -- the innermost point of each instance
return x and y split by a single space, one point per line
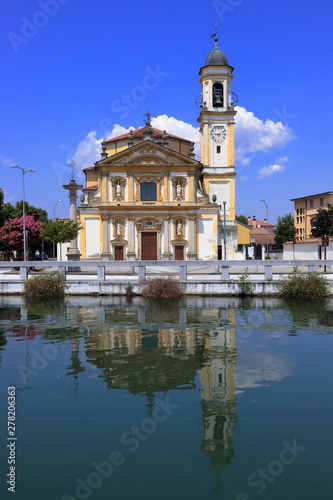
136 354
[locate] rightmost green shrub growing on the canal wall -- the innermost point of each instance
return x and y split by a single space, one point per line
304 286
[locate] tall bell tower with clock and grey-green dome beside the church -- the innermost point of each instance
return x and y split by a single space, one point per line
217 121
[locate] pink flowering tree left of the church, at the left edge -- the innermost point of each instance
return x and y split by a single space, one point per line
11 235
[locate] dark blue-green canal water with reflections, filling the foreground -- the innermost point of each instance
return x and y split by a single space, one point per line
193 399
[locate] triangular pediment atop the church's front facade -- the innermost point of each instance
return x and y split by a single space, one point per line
147 152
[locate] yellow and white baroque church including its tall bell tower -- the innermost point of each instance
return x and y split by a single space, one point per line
148 198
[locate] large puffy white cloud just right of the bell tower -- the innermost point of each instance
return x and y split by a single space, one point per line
252 135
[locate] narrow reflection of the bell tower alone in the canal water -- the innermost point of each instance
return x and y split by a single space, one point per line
218 402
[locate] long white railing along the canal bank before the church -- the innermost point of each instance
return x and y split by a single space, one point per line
139 268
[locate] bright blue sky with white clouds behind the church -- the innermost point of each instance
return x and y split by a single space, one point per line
75 71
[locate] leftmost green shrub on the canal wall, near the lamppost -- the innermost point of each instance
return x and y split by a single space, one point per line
45 286
